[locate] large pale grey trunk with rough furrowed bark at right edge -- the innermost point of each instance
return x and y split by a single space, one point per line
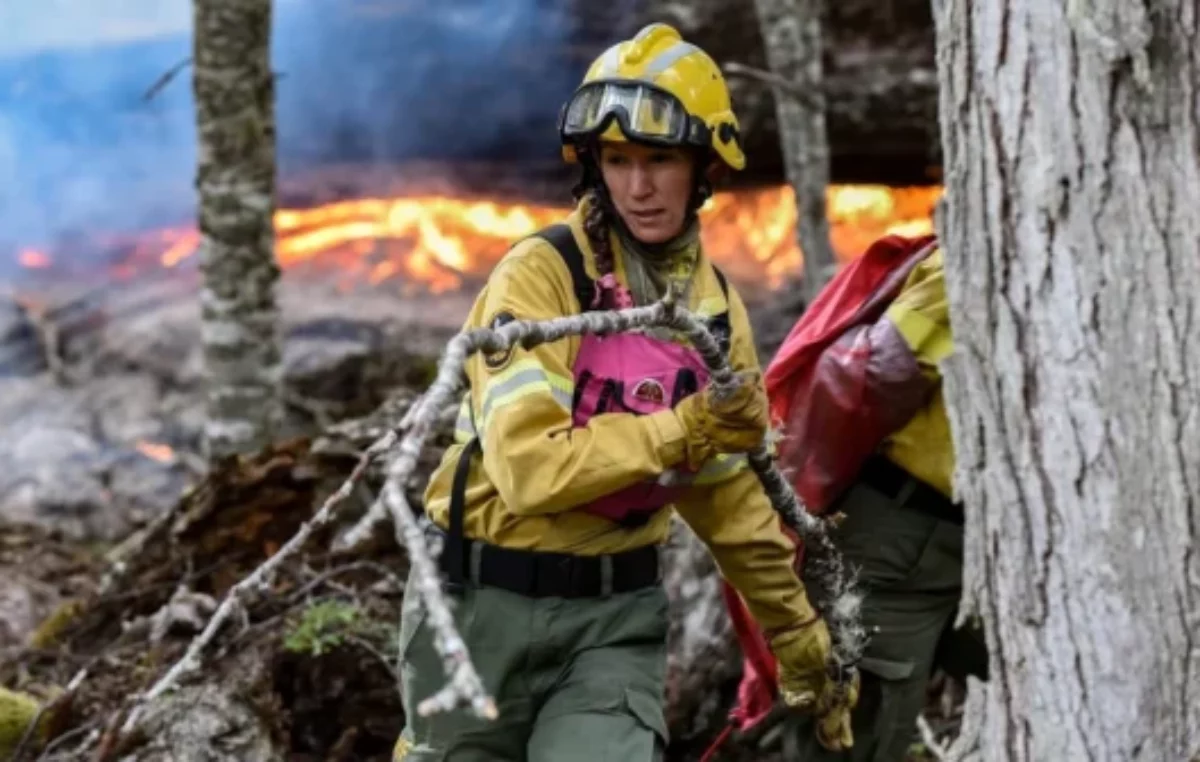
1071 133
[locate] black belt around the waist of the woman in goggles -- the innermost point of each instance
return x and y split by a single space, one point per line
539 574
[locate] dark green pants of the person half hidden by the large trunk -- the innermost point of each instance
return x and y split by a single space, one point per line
911 567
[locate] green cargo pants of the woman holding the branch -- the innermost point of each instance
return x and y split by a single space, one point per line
573 679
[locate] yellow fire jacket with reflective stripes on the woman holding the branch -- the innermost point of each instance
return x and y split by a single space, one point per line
536 467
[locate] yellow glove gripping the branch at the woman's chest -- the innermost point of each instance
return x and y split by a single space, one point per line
736 423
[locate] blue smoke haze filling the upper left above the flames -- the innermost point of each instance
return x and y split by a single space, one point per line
365 81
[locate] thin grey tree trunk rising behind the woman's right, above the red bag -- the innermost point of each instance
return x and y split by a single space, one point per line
791 33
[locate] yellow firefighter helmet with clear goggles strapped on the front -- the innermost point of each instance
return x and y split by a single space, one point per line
653 89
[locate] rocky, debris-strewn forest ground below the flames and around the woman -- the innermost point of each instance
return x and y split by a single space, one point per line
115 549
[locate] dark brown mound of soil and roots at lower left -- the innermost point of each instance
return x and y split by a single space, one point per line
319 637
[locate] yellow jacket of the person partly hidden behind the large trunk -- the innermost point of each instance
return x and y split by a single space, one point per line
921 313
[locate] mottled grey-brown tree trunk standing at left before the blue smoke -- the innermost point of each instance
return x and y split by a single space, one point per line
236 178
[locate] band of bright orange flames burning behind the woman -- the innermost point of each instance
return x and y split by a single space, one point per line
436 243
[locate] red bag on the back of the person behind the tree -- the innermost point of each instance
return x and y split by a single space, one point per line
839 415
